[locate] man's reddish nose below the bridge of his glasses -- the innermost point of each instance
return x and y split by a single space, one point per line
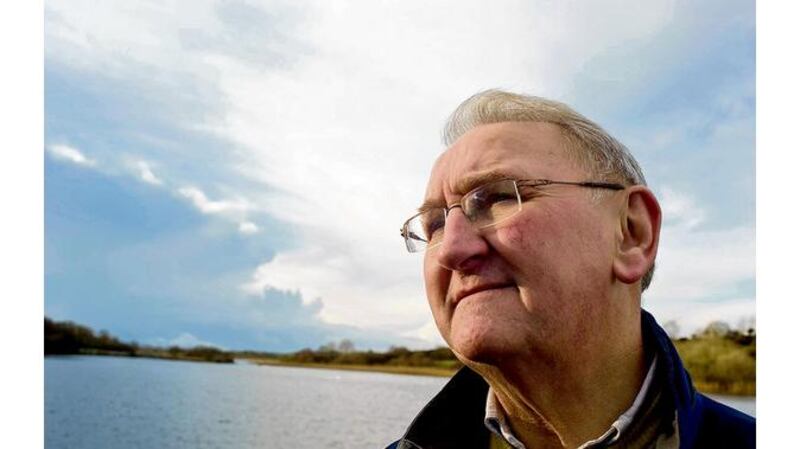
463 247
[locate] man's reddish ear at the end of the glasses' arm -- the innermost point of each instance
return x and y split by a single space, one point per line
640 223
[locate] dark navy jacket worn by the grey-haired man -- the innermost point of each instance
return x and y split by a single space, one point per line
454 418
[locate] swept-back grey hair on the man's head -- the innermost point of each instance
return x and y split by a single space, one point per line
600 153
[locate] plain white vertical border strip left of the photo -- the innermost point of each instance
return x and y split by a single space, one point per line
21 200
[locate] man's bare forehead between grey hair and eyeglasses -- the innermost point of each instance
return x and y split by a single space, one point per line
519 150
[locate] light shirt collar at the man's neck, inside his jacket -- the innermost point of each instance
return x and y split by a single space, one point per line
495 419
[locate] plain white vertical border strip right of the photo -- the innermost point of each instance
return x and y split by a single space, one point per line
777 124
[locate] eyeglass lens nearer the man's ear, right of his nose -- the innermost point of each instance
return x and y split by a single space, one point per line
492 203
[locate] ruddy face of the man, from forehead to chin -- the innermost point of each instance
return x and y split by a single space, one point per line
536 282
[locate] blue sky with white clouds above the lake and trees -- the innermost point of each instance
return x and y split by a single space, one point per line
235 173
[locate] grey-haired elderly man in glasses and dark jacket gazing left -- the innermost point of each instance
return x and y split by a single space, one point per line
539 236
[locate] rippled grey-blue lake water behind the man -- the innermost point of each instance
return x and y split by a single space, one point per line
126 403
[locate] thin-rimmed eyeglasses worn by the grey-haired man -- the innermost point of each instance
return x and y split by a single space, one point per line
484 206
